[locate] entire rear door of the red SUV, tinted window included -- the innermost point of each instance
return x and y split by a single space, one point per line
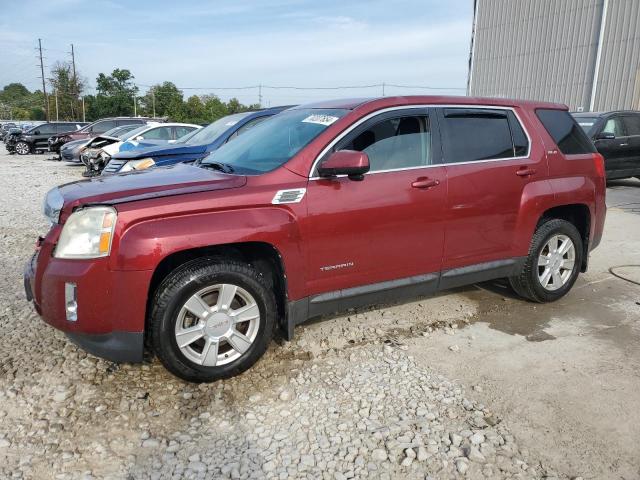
489 162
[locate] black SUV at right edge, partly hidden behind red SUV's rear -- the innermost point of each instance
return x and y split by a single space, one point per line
616 135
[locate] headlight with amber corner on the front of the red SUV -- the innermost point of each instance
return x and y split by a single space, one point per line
87 233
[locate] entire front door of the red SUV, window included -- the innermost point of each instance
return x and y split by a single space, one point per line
387 226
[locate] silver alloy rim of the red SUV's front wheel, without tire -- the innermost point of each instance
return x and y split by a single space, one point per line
217 325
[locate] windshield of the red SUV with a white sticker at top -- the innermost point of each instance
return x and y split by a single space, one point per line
272 143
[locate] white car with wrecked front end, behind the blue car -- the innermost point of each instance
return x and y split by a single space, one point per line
99 150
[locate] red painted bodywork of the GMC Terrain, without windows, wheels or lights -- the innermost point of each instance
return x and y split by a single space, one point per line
390 225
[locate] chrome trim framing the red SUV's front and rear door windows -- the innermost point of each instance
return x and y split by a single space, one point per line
407 107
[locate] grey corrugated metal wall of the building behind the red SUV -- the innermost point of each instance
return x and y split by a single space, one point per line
546 50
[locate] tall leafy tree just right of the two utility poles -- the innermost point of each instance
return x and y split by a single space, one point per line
116 94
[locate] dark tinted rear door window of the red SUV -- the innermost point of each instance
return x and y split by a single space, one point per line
473 135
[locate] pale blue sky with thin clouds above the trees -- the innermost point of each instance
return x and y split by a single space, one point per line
302 43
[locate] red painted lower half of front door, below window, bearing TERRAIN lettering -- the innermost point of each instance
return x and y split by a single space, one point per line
365 226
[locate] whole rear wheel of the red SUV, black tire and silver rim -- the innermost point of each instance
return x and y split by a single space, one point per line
553 263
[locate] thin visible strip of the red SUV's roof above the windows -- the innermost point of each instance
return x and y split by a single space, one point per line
382 102
